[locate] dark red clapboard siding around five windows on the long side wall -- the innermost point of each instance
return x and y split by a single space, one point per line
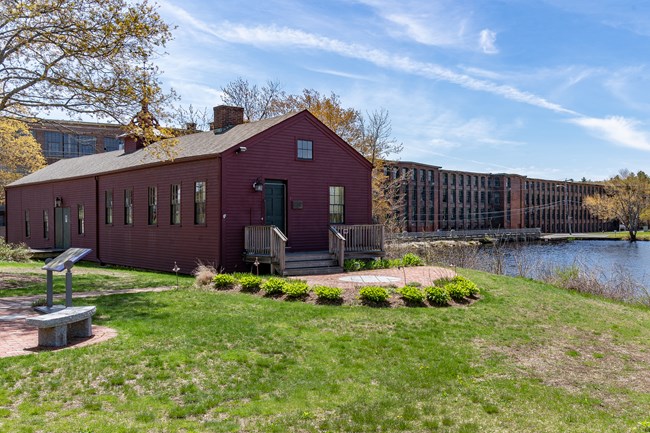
159 246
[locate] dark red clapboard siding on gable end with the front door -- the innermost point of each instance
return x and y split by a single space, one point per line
273 156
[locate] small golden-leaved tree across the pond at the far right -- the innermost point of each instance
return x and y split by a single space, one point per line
626 199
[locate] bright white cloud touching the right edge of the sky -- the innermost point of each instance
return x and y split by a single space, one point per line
616 129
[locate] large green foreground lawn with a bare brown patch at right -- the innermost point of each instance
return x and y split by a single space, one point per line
527 358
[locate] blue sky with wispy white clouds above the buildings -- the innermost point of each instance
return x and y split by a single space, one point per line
549 88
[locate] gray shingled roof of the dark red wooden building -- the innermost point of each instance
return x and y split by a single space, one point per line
188 146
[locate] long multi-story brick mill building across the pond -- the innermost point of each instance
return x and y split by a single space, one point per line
436 199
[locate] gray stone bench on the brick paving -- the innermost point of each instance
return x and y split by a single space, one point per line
55 328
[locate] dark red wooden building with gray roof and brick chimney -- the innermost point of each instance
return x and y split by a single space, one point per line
231 196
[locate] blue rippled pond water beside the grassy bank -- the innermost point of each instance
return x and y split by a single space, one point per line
605 257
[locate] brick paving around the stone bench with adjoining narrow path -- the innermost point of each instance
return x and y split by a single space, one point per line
16 338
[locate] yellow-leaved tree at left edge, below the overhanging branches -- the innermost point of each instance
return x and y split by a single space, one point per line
20 153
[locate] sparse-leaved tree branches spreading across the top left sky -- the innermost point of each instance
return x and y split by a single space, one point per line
83 56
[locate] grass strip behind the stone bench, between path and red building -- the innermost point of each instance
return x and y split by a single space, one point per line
21 279
